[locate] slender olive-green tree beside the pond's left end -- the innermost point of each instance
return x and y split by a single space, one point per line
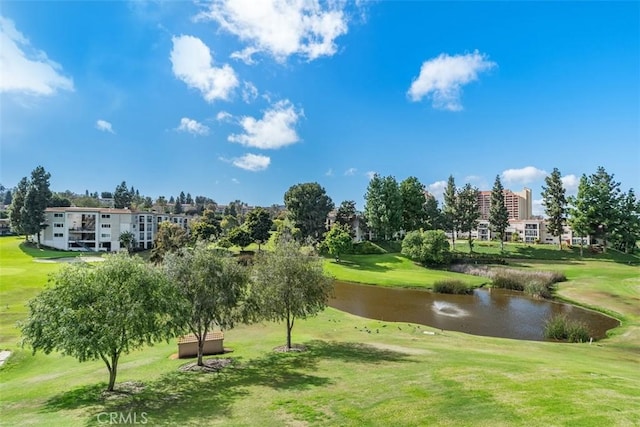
290 285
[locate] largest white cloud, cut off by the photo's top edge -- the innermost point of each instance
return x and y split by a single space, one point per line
280 28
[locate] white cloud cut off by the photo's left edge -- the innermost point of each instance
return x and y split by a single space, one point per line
25 69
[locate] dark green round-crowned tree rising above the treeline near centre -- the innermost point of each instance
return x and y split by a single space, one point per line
308 206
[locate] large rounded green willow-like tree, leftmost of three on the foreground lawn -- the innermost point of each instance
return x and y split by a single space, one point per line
101 312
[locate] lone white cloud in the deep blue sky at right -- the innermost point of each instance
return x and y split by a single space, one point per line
442 78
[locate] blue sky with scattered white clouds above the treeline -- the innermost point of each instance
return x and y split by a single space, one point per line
242 99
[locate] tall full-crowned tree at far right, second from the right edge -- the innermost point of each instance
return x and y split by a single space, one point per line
603 202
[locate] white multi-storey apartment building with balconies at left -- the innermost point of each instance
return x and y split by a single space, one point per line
99 229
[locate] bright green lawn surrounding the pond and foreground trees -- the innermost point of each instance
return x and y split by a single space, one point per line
399 376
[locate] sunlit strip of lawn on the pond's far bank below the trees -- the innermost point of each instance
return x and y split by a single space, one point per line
391 270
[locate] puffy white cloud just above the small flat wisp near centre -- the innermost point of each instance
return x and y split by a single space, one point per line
275 129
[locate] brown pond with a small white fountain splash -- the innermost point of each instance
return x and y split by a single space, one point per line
488 312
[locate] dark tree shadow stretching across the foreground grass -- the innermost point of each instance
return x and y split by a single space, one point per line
193 397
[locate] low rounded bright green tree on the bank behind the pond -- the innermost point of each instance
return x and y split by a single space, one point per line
429 247
